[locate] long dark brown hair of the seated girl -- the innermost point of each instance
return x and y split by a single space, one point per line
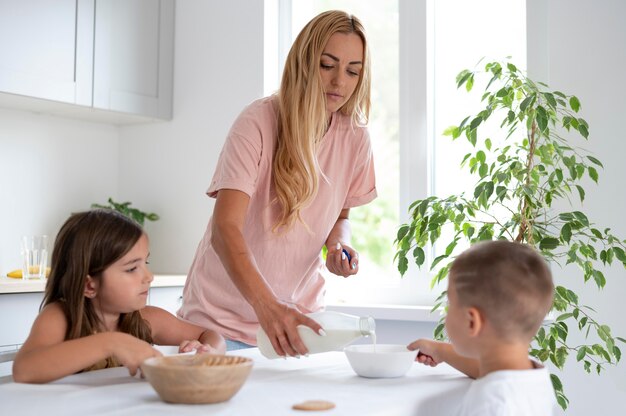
87 244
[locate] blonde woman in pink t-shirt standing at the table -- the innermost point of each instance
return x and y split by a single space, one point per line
292 166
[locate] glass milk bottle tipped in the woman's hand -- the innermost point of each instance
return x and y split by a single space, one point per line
341 329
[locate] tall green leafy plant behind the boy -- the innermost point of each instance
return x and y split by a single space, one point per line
519 177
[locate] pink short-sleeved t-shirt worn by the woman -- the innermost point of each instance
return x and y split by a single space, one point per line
290 262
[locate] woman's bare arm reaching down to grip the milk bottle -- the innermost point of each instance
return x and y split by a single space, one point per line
278 319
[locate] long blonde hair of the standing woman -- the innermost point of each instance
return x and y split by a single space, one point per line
302 119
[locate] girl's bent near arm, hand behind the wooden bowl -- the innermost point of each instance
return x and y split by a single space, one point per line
46 356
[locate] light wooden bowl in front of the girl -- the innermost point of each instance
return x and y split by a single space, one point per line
194 379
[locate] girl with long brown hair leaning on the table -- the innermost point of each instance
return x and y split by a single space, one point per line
94 312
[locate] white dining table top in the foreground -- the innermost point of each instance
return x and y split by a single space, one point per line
272 388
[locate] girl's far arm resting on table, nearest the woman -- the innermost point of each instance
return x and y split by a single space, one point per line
167 329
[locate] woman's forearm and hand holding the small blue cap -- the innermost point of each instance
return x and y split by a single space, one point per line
337 261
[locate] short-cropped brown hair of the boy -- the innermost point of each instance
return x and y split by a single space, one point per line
509 282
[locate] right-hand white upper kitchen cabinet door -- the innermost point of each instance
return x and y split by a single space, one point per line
133 57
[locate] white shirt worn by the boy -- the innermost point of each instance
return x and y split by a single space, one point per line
511 392
